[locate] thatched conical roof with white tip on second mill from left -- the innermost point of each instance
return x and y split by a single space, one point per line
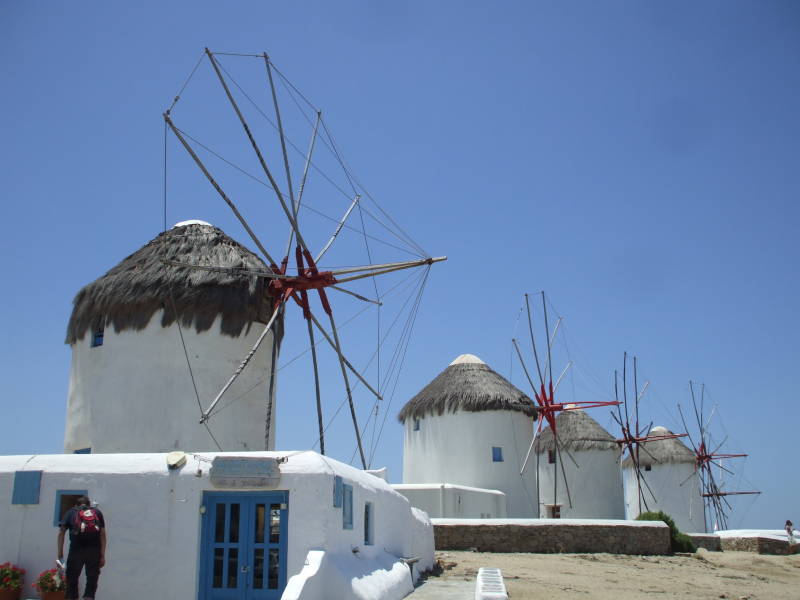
467 384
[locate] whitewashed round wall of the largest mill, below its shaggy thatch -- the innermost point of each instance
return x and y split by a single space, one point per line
134 393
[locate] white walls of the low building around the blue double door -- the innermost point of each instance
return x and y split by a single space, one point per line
166 544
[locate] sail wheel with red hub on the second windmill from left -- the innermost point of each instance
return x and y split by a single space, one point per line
548 407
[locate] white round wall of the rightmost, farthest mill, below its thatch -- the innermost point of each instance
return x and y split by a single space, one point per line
675 490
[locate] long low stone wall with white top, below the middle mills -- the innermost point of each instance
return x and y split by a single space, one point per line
549 536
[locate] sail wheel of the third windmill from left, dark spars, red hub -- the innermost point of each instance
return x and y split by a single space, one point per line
633 437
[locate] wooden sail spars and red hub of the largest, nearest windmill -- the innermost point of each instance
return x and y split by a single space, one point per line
309 278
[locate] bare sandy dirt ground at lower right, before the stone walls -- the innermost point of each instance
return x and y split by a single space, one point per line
732 575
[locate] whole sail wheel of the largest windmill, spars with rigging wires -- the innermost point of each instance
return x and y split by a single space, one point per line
298 283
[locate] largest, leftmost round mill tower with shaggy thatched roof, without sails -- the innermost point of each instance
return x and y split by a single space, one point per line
137 379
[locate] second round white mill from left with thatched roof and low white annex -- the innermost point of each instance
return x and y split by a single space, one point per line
466 435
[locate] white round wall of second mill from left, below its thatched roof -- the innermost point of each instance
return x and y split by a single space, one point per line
456 448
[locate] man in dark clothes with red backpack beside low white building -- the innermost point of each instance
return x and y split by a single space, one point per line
87 546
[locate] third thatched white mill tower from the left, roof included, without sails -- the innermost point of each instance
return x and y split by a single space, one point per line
581 477
